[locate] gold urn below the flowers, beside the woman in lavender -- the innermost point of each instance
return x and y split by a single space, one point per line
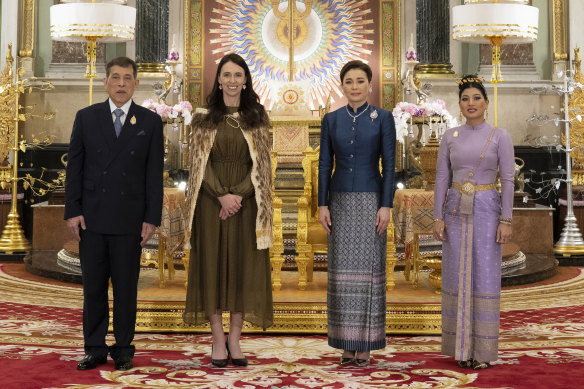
424 156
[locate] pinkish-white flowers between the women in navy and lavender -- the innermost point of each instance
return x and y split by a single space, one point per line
404 112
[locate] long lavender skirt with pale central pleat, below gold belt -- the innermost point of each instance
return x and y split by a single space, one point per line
471 278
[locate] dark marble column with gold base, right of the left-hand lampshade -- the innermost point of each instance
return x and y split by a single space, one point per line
151 35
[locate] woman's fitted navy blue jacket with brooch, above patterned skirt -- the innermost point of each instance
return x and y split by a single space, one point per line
354 150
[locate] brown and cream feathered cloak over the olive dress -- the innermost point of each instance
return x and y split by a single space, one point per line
258 141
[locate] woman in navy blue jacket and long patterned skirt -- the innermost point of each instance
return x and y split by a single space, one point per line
354 209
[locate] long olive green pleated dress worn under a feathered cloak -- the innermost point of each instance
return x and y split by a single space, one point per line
226 270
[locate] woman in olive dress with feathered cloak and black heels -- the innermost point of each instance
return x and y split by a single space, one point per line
230 212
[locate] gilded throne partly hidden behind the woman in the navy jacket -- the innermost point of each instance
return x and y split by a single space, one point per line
311 237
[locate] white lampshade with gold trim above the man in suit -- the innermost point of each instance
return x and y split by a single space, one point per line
109 22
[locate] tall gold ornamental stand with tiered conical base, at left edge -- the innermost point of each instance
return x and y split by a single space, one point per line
13 239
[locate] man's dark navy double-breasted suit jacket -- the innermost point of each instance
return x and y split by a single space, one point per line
115 183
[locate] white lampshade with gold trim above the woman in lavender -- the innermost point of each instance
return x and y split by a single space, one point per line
476 21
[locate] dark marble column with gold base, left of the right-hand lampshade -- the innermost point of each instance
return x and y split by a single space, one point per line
433 38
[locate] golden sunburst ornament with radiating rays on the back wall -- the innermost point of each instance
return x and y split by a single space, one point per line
253 29
